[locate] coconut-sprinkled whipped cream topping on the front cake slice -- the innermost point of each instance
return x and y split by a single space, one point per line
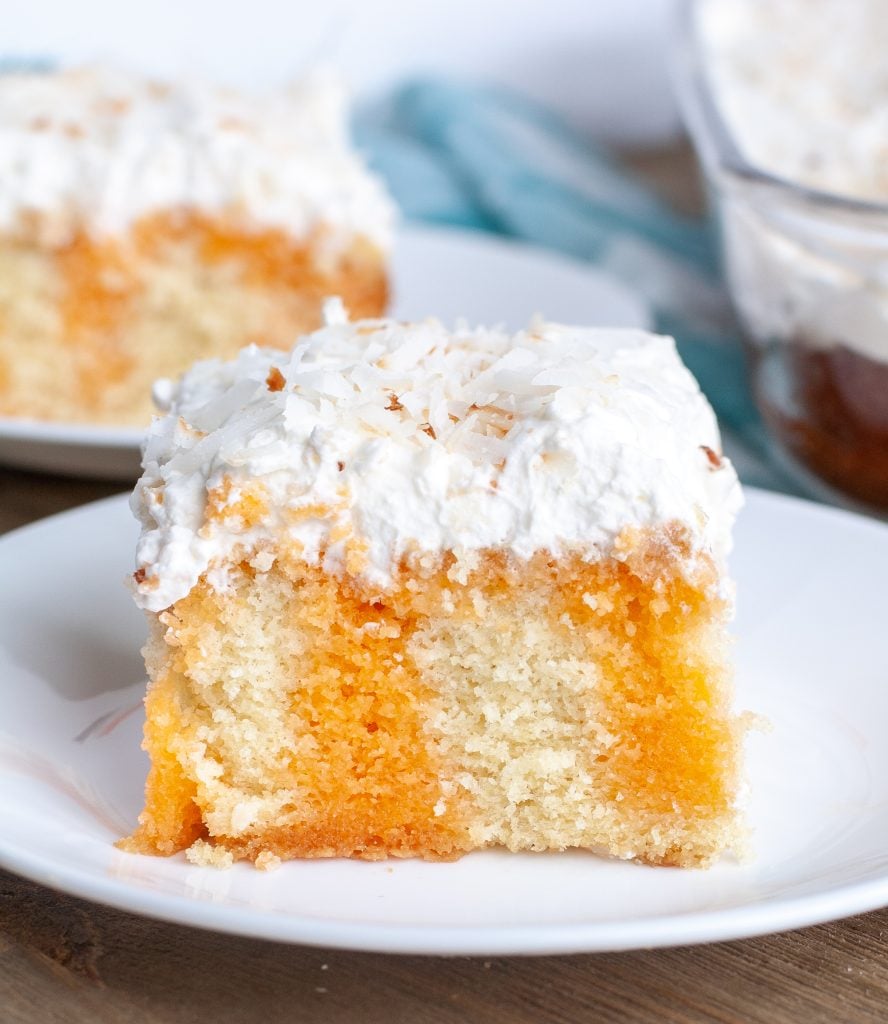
376 441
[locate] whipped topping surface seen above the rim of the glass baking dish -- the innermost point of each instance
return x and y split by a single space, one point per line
805 89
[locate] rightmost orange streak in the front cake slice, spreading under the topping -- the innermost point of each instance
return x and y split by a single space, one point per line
678 753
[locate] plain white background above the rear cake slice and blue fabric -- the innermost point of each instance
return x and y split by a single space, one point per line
602 63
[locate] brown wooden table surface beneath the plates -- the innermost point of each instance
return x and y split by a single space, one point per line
63 960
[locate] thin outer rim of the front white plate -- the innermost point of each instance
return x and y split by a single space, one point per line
767 916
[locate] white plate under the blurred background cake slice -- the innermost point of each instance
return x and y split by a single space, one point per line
436 272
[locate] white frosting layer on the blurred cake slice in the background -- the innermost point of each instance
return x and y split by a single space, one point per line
100 149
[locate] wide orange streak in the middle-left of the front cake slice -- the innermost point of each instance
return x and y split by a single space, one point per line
374 778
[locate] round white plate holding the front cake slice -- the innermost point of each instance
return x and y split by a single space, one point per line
813 656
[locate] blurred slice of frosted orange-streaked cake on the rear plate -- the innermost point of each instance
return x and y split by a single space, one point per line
146 225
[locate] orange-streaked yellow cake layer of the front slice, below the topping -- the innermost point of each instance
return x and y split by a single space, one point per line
298 715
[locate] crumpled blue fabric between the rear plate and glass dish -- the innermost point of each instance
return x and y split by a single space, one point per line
485 158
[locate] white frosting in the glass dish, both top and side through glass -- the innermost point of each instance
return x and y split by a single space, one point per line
804 88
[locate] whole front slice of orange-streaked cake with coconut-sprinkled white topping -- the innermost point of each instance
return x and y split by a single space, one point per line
416 593
